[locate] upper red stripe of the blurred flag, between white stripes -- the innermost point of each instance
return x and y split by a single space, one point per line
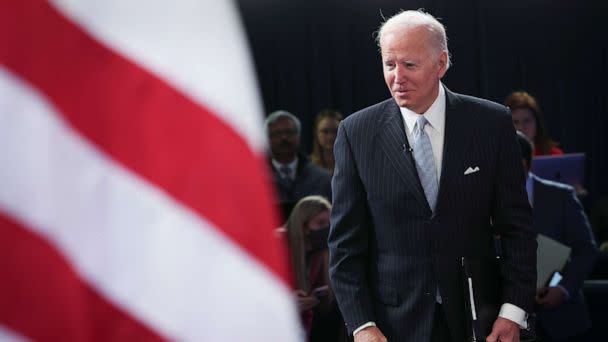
145 124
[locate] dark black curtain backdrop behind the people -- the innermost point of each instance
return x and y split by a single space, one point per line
313 54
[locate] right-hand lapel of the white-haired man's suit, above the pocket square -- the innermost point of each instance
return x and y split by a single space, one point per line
457 134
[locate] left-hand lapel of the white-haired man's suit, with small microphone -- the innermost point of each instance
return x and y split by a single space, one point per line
392 140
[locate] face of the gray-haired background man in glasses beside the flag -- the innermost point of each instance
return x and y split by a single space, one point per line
284 139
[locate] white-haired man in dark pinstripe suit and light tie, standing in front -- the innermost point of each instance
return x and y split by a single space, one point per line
421 180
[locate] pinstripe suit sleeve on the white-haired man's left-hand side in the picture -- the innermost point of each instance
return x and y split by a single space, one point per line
348 237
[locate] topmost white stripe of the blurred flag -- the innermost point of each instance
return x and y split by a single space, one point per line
197 46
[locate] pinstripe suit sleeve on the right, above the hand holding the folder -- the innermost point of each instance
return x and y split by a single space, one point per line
512 219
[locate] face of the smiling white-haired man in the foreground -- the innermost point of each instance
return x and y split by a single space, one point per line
411 70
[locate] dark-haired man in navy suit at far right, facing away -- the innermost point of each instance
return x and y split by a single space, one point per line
562 312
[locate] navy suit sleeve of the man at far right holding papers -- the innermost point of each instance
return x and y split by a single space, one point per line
577 235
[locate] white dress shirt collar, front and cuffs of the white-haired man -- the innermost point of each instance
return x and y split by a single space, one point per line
435 129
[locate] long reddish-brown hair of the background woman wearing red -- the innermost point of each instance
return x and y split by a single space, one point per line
521 99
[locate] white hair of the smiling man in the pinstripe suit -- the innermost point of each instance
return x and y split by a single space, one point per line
406 20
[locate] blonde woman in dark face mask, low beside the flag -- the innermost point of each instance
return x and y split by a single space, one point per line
307 229
